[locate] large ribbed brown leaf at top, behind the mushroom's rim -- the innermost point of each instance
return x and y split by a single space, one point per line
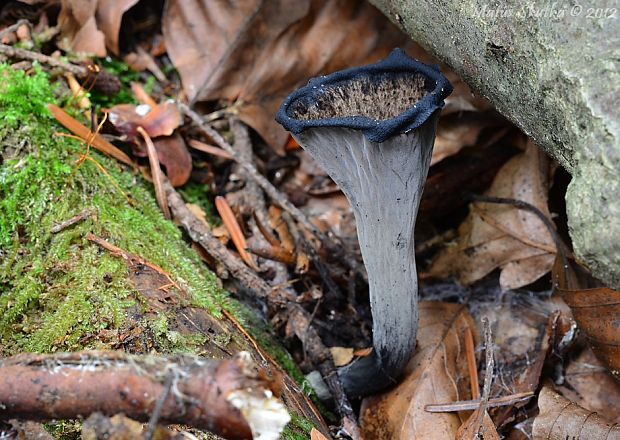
258 51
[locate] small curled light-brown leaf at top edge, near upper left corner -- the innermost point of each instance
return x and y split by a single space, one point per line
89 26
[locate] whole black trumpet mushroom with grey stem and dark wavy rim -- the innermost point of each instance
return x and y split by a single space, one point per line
372 129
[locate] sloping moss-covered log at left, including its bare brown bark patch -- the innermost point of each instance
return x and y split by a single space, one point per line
63 291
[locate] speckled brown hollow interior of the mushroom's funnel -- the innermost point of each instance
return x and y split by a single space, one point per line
381 98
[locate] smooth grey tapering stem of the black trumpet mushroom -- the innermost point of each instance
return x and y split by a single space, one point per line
383 183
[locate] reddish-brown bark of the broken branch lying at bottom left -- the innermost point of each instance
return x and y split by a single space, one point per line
66 386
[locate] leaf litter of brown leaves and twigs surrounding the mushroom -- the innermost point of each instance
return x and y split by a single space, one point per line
239 62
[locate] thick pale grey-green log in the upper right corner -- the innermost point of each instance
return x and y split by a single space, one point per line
553 68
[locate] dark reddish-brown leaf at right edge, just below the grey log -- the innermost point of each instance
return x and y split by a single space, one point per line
597 312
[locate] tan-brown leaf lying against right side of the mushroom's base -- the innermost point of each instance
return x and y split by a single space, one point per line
437 373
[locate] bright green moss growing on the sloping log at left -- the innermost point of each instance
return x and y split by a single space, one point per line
57 291
